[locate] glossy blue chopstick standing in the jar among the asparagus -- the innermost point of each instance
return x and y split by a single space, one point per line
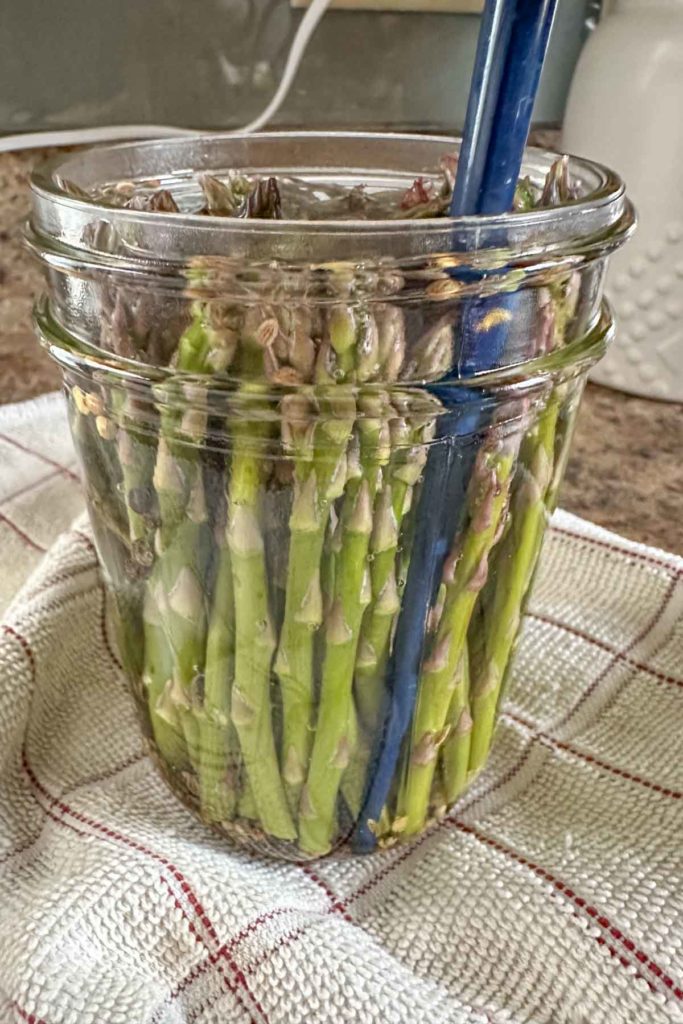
490 173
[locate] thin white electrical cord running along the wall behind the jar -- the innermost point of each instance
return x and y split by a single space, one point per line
112 134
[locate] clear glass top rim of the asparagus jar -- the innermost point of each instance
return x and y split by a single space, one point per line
588 227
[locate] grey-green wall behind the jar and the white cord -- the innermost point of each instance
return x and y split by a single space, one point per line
216 64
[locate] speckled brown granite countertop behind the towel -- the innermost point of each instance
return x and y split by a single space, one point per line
626 473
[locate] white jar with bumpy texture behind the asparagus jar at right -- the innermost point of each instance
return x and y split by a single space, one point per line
626 109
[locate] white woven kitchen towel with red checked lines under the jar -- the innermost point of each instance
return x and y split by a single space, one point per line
554 893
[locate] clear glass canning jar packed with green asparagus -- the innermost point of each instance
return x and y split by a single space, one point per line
319 459
